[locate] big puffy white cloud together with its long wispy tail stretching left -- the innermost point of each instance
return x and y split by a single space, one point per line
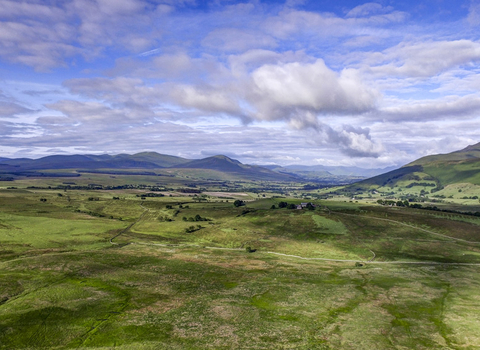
294 92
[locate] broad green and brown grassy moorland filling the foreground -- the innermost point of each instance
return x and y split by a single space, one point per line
80 269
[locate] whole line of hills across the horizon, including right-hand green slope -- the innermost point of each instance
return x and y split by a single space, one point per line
462 166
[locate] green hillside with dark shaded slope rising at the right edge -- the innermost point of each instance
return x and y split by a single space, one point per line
435 171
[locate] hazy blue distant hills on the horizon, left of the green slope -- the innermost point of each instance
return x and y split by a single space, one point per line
219 167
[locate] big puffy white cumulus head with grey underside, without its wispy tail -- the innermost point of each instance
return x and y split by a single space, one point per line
295 91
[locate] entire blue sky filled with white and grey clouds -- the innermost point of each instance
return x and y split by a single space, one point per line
353 83
